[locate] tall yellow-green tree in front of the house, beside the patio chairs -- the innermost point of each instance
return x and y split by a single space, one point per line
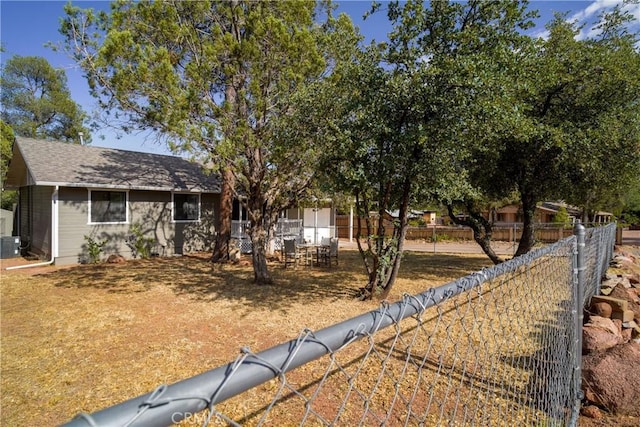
214 78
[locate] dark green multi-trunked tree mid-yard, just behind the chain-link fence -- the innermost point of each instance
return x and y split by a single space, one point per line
374 151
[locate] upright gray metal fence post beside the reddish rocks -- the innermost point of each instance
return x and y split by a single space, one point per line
579 232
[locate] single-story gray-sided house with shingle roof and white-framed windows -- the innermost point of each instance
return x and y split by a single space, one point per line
69 191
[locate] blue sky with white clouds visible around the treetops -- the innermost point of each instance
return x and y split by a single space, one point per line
26 26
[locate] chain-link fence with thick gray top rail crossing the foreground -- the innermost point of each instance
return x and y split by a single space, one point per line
499 347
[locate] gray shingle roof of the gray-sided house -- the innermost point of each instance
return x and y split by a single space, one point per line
72 165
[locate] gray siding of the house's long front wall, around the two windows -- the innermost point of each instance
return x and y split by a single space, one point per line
149 211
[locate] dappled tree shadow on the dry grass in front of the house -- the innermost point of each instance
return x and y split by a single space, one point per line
196 277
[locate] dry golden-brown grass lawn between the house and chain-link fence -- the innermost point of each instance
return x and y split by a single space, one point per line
84 338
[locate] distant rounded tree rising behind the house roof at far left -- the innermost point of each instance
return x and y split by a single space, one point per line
36 101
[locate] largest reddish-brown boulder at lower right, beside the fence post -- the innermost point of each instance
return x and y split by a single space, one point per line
611 379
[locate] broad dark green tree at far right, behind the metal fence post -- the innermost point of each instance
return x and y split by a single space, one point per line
568 124
